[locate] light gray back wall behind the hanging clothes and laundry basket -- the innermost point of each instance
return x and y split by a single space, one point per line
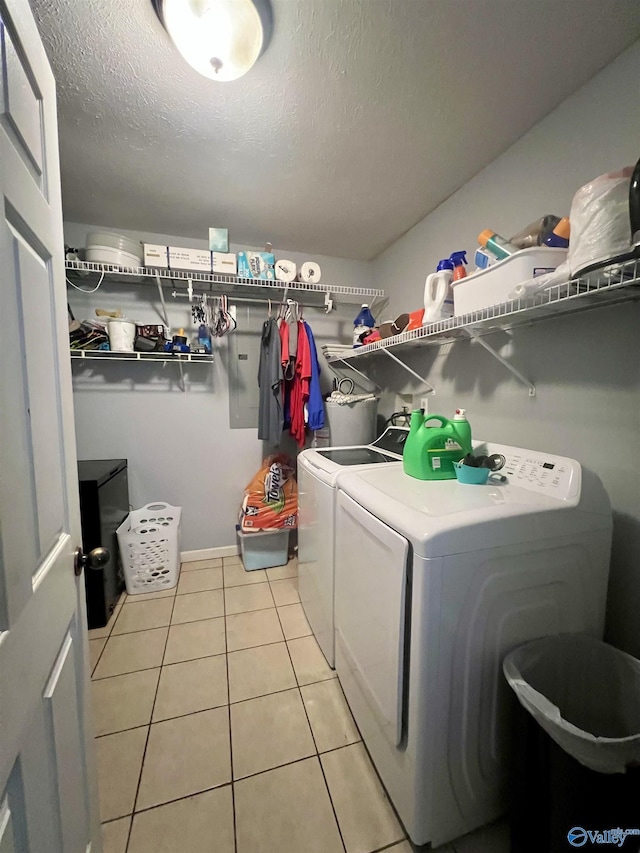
179 445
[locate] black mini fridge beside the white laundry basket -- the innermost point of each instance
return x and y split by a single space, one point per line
104 504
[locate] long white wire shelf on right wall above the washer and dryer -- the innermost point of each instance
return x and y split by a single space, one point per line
609 285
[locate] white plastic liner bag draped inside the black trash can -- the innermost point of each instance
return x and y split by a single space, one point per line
586 696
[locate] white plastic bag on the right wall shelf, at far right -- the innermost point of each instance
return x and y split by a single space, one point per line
600 230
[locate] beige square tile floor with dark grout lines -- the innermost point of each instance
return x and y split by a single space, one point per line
221 729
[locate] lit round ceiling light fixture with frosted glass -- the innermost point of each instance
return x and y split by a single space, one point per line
221 39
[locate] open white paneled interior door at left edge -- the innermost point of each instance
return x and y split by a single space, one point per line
48 790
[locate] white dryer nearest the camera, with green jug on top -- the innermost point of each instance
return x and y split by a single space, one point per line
435 582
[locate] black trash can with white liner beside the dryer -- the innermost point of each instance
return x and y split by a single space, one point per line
576 747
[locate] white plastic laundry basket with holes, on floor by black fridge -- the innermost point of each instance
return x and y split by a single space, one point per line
149 541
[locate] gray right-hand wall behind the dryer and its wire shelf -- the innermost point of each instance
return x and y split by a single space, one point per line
586 367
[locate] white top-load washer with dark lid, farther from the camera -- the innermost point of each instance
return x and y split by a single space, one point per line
318 472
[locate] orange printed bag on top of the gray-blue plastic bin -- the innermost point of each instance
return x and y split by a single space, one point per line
271 498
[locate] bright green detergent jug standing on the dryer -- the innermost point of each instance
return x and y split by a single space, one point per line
431 451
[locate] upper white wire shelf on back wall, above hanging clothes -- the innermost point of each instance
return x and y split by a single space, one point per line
224 283
